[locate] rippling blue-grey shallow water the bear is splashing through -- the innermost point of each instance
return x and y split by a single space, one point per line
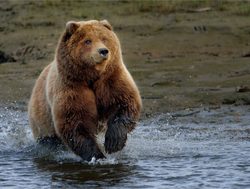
203 149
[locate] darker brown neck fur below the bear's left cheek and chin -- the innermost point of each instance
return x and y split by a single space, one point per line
69 71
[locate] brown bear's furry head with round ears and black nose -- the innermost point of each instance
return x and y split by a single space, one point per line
87 48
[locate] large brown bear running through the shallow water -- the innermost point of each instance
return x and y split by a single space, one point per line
86 86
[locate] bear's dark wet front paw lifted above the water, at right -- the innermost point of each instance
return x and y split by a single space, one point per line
115 138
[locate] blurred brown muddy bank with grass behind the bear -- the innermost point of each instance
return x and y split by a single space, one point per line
182 54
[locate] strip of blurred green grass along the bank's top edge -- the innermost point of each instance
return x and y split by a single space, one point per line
125 7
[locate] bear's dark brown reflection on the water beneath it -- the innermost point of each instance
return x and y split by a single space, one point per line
77 173
